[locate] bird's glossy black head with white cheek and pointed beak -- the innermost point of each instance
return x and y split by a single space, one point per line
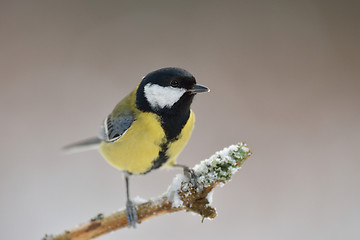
167 91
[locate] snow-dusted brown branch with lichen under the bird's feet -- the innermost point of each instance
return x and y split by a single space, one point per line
181 195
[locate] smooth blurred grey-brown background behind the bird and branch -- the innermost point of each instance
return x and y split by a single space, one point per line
284 77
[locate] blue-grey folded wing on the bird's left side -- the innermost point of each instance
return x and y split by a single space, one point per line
113 129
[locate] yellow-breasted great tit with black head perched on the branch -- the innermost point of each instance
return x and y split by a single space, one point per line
148 128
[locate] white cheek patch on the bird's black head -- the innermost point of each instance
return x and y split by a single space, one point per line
161 97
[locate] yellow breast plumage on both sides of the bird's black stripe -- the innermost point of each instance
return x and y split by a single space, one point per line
136 151
